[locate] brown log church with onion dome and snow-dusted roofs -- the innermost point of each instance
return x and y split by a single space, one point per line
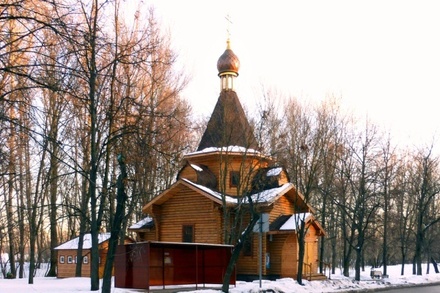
208 201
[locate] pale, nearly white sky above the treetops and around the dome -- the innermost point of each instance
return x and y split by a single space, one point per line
382 58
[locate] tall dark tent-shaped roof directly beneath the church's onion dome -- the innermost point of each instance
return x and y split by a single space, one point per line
228 125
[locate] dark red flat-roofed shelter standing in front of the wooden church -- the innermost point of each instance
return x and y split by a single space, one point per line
146 264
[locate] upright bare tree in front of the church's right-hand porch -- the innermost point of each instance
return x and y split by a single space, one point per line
310 135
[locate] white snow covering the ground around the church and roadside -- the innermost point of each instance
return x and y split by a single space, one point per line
337 283
